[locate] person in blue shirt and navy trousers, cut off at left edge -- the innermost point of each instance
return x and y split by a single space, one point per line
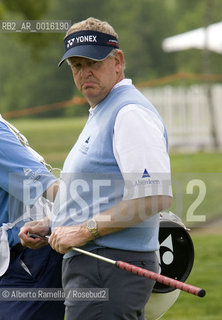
23 182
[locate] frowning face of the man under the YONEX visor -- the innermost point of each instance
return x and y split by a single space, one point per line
95 79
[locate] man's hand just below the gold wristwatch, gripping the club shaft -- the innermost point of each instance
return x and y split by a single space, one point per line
64 238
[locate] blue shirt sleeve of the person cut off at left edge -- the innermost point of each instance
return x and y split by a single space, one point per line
22 176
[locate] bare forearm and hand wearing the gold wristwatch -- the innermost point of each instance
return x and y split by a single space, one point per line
132 212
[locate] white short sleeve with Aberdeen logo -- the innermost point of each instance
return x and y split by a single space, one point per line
140 150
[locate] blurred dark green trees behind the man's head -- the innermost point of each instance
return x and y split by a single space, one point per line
29 75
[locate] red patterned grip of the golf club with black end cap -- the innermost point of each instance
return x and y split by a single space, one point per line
161 279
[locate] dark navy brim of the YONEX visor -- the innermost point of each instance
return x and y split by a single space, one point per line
87 51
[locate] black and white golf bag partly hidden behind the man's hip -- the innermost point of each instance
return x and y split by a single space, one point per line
176 256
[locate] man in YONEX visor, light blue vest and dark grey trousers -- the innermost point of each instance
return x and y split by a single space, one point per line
115 181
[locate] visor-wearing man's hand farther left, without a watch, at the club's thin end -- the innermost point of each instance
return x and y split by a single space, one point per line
40 227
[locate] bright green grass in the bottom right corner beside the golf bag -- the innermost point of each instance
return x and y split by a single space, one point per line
206 273
